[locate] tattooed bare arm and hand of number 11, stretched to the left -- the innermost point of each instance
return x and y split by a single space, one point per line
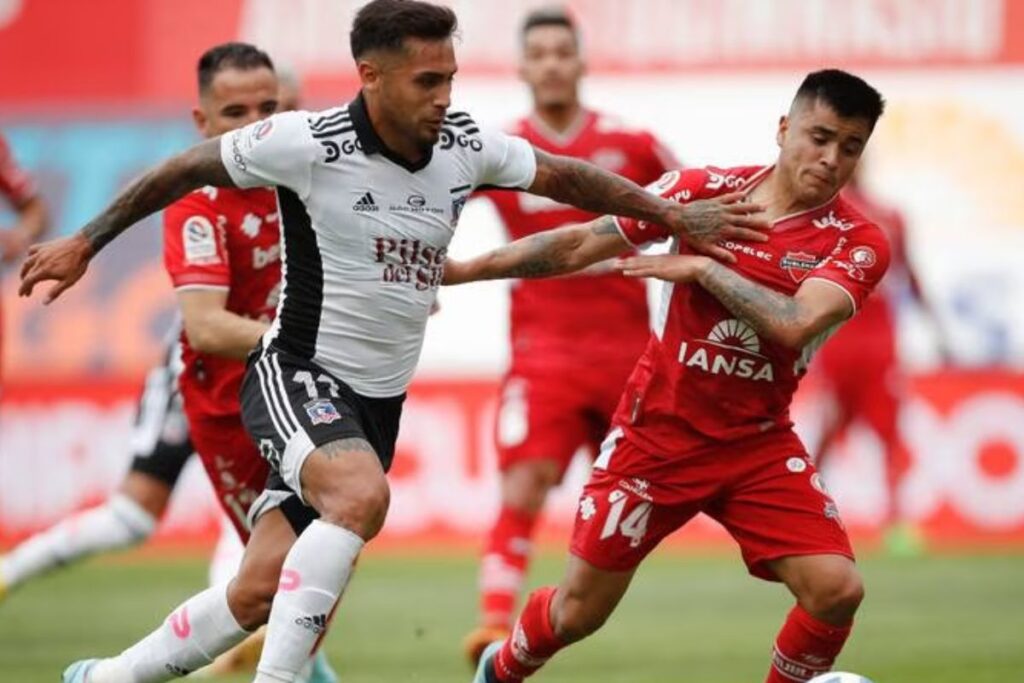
66 261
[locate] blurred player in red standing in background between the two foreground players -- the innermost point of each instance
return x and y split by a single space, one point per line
567 371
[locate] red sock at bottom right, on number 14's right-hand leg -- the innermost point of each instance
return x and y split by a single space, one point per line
805 648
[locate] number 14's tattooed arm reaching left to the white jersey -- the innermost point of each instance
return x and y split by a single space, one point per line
545 254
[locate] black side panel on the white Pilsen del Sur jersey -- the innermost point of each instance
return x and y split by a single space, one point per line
304 276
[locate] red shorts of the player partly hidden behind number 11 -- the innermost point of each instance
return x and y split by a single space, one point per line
233 463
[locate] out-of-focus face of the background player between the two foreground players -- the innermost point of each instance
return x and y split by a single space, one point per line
552 66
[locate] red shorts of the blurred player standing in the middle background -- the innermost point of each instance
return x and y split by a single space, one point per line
540 418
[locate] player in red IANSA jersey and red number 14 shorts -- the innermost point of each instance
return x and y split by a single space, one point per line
704 423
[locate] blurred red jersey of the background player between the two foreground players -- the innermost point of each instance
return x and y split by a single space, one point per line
567 317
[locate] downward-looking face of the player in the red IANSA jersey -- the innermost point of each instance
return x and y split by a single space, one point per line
820 150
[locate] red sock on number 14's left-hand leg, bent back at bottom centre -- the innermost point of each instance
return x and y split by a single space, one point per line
533 642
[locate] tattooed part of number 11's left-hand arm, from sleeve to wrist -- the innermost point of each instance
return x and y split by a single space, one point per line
197 167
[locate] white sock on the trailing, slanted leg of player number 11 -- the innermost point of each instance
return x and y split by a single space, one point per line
195 633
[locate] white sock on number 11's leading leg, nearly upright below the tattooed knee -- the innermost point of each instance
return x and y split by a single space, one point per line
314 578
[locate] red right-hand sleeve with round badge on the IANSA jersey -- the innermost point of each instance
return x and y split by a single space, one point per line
858 264
